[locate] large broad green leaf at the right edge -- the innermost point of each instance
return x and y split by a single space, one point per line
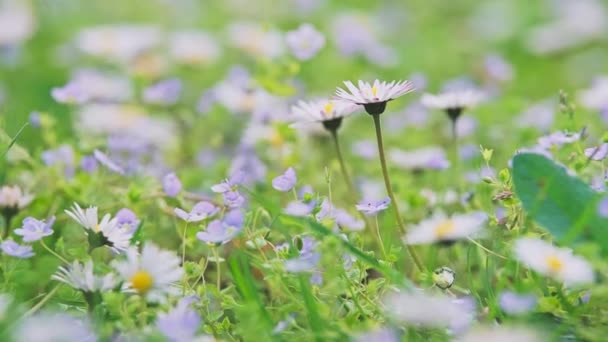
563 204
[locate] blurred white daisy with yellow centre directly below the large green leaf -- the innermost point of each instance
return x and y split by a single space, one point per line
558 263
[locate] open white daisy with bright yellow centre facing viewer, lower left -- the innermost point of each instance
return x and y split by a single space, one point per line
150 274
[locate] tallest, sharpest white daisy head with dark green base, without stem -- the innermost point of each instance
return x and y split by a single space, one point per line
374 96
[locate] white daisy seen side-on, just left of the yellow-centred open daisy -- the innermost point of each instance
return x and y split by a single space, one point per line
81 277
